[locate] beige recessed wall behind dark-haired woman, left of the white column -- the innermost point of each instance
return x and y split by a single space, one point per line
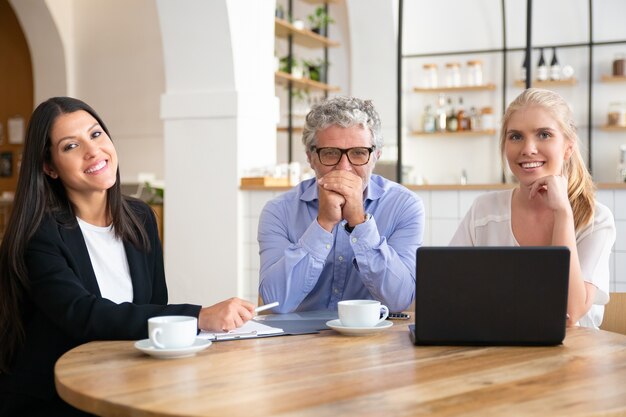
119 71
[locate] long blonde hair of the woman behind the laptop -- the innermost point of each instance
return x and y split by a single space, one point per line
580 187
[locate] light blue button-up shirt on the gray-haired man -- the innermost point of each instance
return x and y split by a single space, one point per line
305 268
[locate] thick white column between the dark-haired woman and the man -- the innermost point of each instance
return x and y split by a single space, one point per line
219 114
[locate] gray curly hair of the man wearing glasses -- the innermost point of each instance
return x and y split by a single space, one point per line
345 112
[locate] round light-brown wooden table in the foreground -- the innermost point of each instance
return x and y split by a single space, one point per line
333 375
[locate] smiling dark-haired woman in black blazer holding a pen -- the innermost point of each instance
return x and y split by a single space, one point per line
79 261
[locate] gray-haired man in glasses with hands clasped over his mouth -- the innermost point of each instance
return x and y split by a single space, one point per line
346 234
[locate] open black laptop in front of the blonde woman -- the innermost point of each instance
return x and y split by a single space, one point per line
491 295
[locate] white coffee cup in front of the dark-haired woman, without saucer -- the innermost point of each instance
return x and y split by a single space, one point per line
172 332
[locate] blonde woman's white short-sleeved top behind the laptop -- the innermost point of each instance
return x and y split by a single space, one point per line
488 223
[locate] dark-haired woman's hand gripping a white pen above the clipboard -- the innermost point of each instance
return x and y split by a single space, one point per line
226 315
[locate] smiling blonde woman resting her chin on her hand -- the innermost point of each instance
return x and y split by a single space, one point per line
554 203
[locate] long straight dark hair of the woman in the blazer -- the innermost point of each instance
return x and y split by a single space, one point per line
37 195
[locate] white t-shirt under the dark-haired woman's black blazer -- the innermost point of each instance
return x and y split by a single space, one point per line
109 262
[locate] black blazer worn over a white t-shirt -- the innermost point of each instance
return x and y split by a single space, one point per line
64 307
